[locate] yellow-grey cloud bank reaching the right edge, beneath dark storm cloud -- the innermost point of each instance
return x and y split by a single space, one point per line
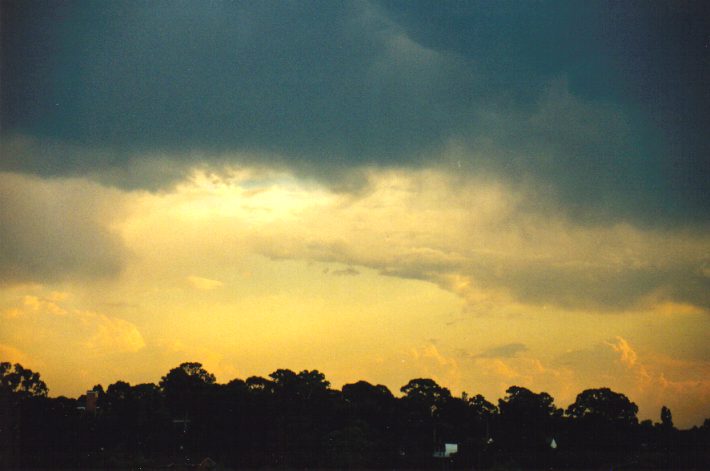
483 241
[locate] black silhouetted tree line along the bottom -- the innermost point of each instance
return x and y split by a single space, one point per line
296 420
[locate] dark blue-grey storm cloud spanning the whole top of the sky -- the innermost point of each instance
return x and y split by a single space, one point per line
604 104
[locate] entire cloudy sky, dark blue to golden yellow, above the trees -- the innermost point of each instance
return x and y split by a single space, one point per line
483 193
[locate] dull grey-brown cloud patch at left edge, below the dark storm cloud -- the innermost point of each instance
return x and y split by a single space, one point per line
57 229
